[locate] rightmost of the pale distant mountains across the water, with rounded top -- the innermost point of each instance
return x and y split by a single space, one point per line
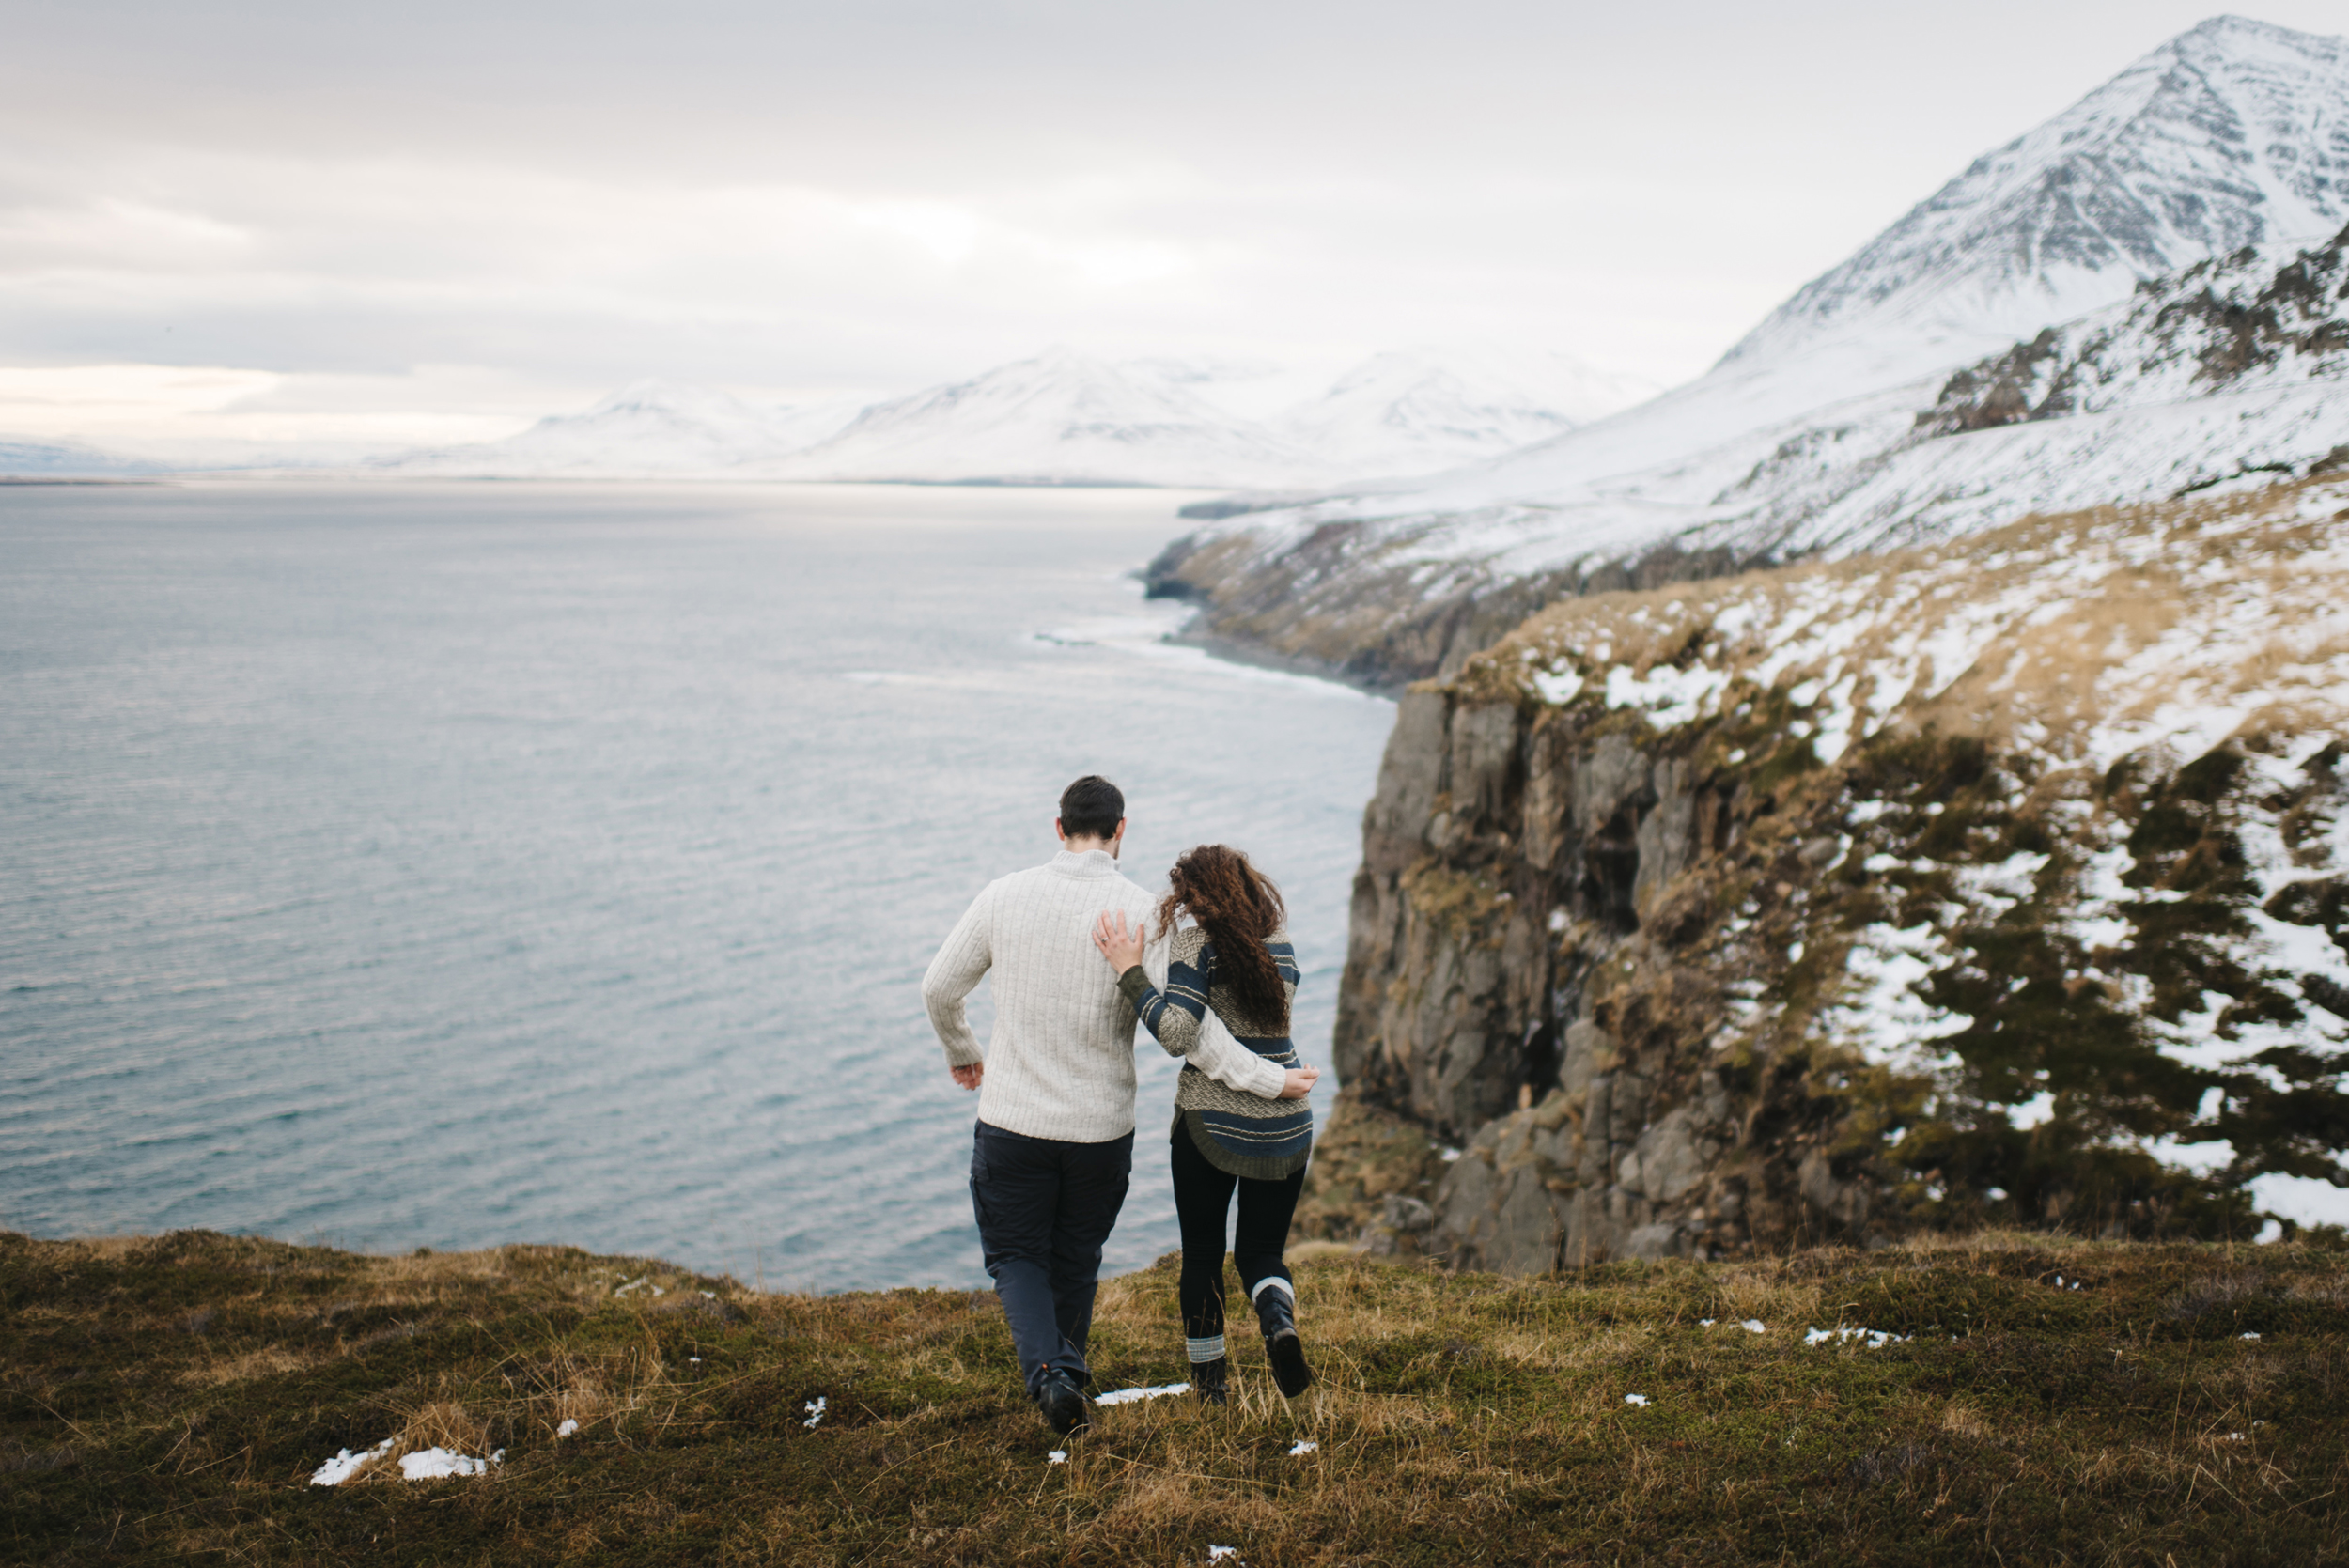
1425 410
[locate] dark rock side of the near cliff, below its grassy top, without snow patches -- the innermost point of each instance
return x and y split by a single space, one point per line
1561 910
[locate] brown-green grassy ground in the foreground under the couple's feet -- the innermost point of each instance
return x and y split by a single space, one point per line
2050 1403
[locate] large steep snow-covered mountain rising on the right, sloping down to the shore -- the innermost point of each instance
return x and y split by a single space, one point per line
1819 431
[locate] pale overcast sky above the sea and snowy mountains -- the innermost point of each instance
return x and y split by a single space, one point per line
325 229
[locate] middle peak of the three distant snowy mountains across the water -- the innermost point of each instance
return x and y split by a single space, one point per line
1054 419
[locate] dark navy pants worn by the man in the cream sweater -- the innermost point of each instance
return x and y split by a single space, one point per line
1044 1212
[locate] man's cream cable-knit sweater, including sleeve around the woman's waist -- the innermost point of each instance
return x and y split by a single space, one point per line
1061 1062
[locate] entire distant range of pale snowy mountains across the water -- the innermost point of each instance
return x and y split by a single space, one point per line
1070 419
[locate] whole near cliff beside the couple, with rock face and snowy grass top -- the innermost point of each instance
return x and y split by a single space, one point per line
1869 898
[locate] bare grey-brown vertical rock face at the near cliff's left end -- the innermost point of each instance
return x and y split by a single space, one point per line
1512 982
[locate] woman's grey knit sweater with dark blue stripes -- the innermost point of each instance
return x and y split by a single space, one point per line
1248 1135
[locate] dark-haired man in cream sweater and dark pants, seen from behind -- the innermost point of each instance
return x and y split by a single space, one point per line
1056 1137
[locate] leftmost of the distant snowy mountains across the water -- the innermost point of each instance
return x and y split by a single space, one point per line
652 428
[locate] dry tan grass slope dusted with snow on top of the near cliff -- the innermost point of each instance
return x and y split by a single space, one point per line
2249 590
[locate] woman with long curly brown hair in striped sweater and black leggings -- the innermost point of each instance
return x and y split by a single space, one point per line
1239 1114
